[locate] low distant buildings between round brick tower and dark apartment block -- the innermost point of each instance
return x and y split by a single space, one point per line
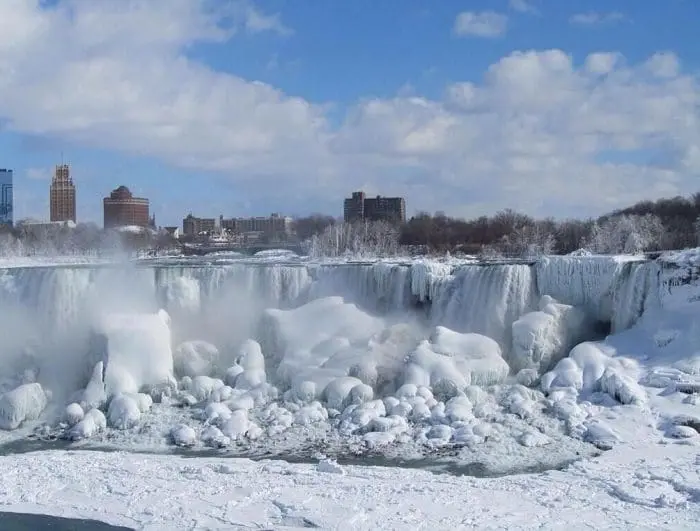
254 229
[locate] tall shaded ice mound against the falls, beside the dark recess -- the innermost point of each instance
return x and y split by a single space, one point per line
542 338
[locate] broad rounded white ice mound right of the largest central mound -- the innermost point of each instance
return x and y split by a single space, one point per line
449 361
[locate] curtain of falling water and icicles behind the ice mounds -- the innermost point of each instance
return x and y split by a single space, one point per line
52 309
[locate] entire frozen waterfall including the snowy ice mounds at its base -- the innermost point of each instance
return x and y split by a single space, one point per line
357 357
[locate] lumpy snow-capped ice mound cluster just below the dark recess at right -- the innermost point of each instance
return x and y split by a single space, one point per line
591 368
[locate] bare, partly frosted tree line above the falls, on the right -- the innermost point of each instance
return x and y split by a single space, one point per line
669 223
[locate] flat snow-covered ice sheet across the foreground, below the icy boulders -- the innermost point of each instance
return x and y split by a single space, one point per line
637 487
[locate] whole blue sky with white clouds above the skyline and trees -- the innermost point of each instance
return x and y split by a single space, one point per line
240 107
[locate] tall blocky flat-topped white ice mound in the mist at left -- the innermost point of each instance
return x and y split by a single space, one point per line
138 353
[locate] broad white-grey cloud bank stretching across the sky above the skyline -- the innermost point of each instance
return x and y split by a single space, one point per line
542 131
